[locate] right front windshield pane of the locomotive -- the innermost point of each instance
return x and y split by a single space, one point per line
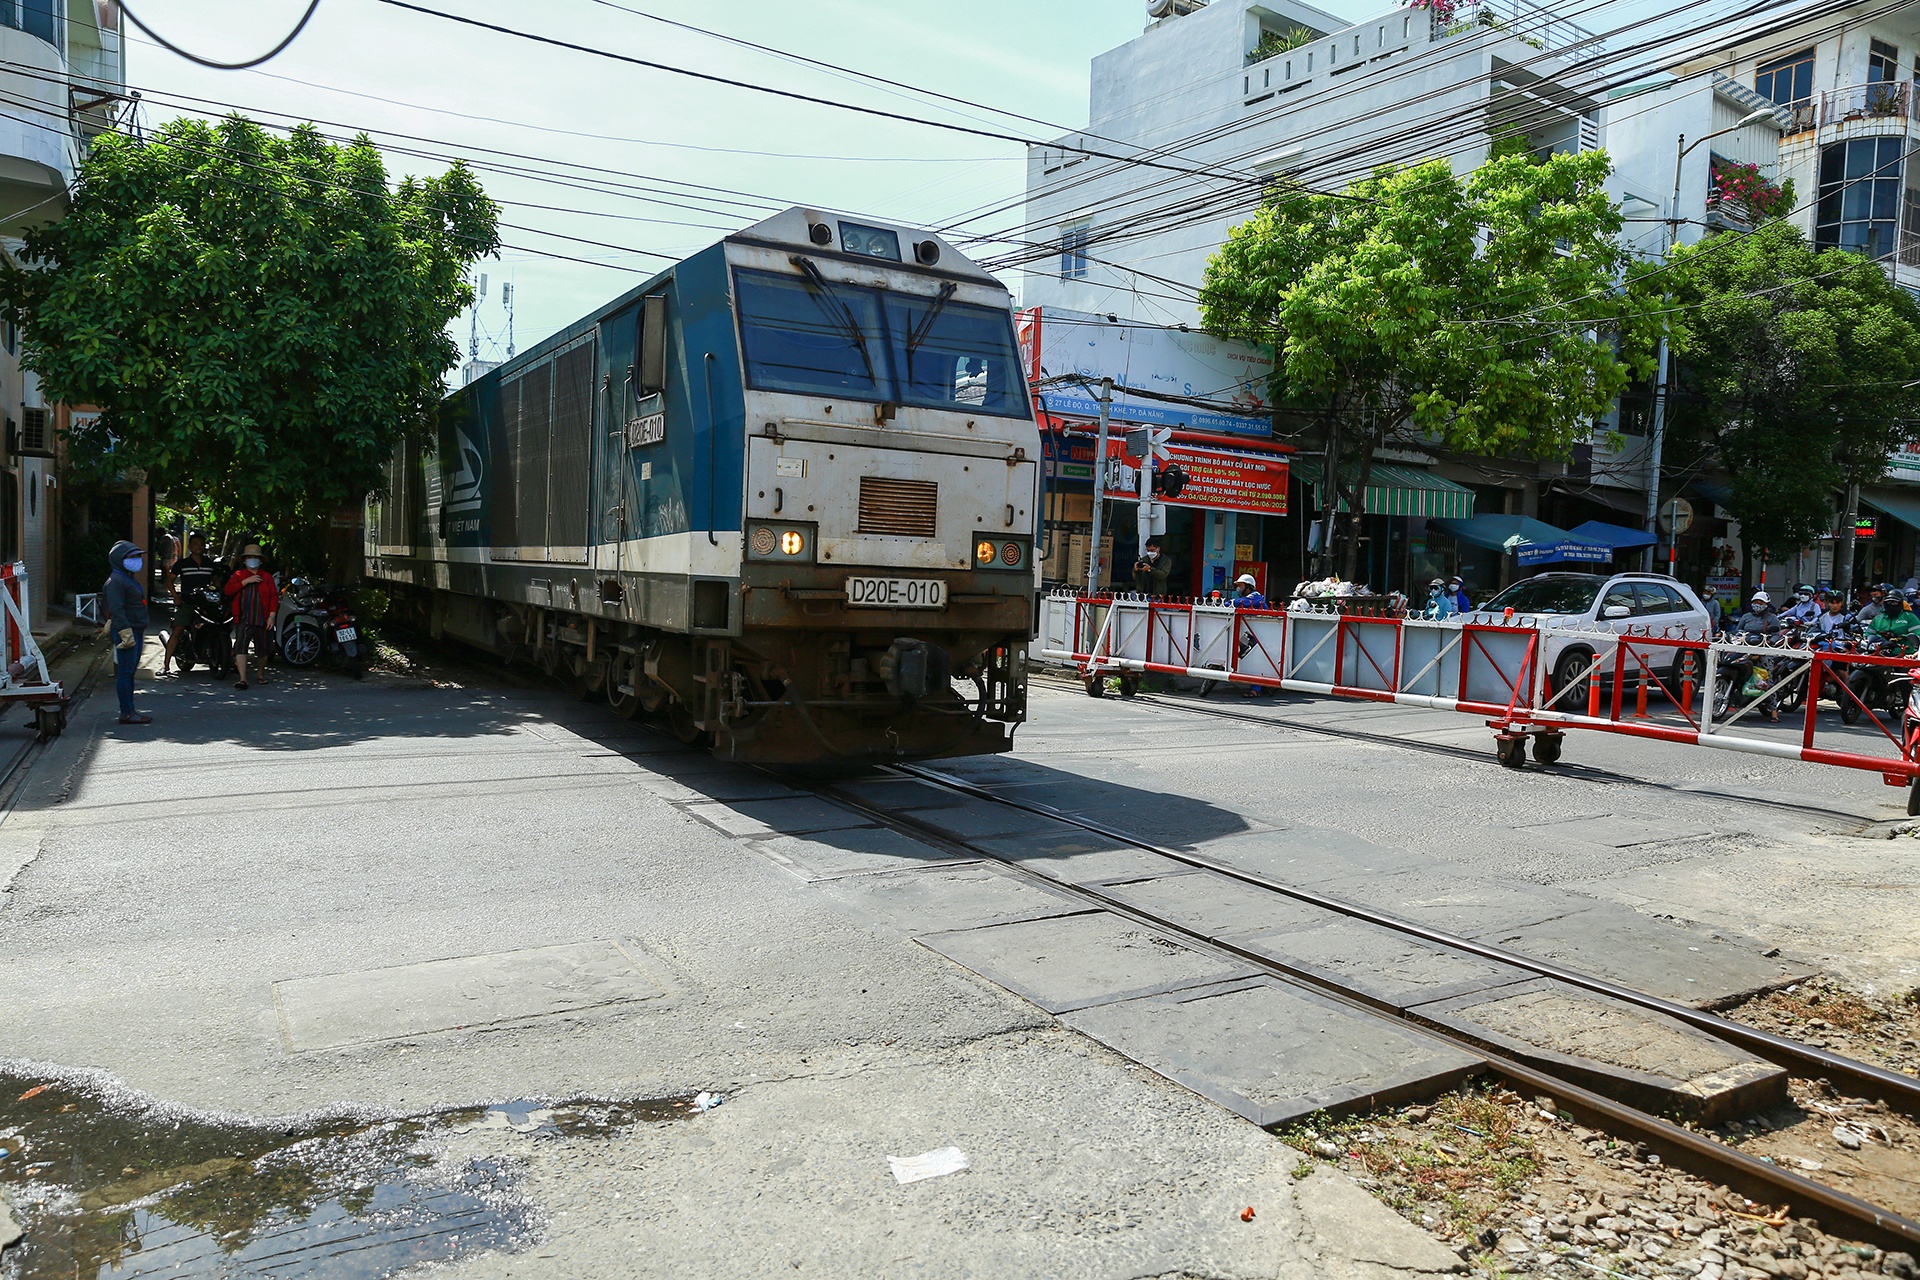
957 356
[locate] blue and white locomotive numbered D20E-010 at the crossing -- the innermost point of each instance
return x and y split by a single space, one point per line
784 494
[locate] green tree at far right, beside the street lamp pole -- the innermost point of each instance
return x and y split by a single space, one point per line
1794 373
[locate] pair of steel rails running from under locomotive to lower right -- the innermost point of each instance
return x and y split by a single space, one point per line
1752 1177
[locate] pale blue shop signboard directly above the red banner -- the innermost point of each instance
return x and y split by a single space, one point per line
1228 377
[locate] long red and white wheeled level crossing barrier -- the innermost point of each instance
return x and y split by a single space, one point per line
1531 678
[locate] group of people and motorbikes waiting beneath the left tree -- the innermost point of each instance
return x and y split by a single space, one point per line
231 615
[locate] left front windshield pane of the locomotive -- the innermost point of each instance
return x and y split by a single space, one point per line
823 339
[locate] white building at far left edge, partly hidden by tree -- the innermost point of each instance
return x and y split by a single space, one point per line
62 83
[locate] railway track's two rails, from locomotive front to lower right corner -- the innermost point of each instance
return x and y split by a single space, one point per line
1758 1179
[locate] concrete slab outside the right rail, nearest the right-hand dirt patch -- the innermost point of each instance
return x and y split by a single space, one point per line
1648 955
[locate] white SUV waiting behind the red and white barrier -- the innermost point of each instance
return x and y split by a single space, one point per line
1625 604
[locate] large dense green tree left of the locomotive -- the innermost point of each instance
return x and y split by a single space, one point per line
258 318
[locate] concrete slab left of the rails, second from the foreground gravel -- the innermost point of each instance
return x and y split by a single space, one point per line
1082 960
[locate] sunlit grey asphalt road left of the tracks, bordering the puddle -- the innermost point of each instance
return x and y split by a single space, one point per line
393 897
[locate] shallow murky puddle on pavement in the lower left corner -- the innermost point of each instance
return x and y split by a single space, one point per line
112 1185
